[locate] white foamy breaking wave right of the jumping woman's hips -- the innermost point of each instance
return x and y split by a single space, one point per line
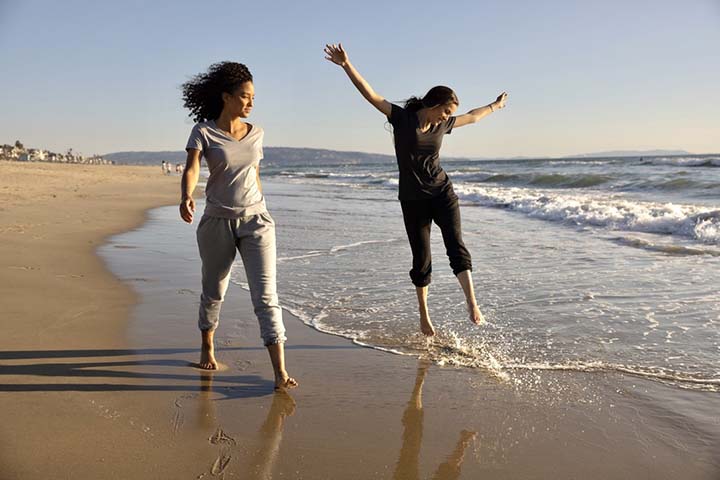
611 212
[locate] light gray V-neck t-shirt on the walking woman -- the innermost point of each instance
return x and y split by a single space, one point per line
232 190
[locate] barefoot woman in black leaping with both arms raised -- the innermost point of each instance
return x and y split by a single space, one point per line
425 191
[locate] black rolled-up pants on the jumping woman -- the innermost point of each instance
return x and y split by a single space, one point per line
418 216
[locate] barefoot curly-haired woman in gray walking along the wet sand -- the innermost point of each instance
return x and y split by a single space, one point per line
235 217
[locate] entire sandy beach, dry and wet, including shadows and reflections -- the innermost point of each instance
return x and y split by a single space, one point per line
100 332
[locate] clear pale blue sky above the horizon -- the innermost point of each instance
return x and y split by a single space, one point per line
581 76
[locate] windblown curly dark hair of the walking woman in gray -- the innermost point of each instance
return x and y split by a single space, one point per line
202 94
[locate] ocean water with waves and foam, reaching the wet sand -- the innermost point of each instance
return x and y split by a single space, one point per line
608 265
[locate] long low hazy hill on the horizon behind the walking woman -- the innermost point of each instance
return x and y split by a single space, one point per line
273 155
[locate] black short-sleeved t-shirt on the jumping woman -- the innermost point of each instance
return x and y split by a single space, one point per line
421 176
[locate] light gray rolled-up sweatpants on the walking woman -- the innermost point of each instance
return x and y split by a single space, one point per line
254 236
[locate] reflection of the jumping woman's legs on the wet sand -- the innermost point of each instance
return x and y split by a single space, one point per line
407 467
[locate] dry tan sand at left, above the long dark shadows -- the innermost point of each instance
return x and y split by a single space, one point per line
56 291
